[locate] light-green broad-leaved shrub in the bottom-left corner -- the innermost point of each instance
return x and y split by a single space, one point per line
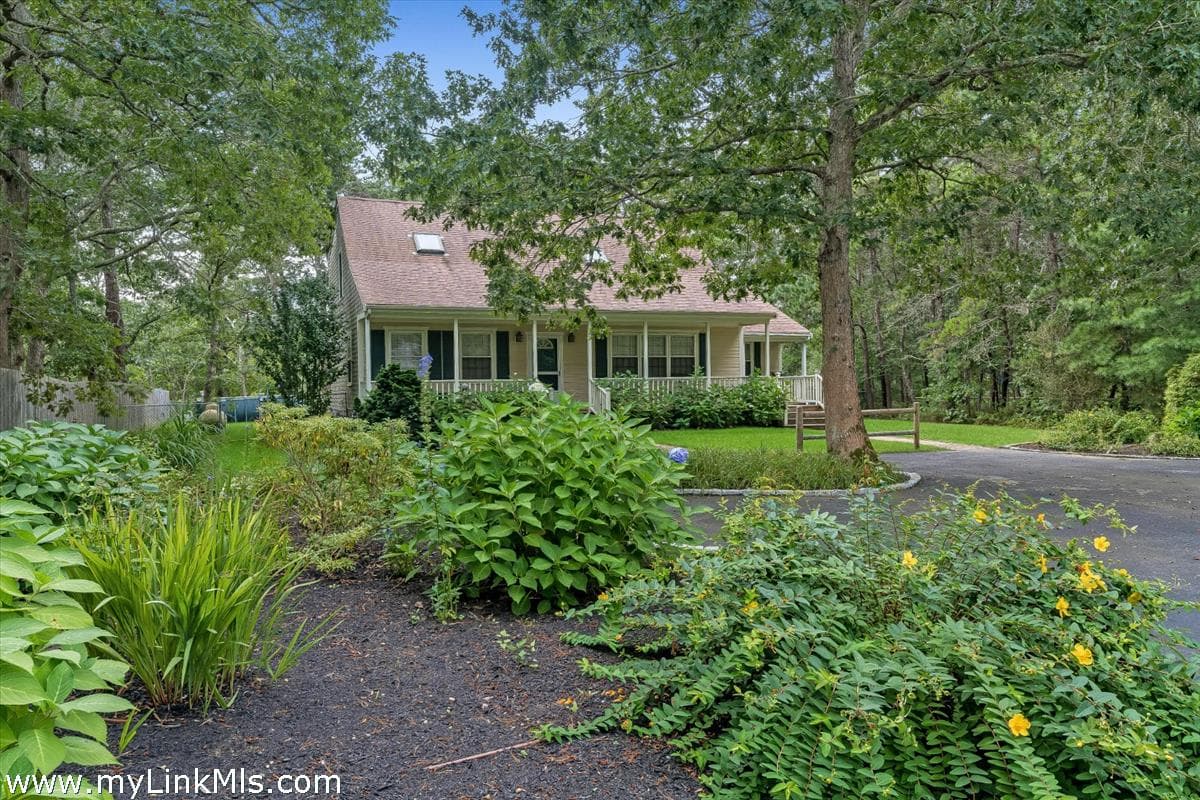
56 682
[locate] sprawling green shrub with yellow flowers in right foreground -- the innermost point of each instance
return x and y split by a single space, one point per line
952 653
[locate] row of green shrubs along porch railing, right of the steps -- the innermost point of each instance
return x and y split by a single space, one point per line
760 401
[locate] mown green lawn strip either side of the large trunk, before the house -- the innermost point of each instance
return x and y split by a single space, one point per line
991 436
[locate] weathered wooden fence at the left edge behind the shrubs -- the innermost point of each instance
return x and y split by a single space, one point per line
133 414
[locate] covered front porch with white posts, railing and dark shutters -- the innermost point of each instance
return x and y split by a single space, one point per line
661 353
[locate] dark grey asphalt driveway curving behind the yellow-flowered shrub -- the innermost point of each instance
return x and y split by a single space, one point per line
1160 496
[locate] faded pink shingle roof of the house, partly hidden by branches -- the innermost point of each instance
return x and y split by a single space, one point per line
388 272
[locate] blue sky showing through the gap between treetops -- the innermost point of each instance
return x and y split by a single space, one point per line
437 31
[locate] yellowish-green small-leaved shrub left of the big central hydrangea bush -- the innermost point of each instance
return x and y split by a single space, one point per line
339 473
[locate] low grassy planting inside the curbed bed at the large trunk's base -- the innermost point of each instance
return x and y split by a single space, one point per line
770 468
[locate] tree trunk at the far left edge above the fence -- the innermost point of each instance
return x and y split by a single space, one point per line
15 177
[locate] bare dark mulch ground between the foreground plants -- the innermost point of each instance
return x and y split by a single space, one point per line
393 690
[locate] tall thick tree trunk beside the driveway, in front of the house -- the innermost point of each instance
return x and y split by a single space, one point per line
845 432
